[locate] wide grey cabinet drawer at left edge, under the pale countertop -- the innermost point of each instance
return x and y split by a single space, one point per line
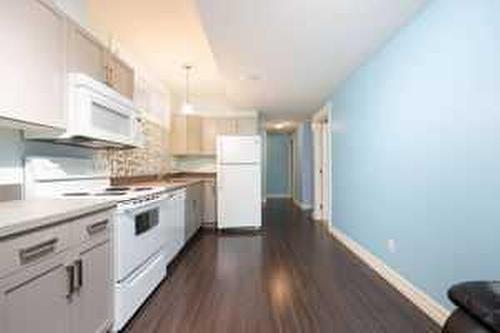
31 248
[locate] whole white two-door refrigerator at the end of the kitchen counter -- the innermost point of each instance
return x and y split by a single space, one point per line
239 192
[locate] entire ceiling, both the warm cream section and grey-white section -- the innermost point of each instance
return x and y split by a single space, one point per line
282 57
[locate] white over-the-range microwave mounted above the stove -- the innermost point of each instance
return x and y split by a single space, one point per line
97 117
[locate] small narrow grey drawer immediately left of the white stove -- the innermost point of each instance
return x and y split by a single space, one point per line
93 228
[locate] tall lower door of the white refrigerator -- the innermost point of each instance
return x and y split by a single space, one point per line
239 196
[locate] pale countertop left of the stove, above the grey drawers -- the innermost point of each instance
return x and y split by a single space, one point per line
24 215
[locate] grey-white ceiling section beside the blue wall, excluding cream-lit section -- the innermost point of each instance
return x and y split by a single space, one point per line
301 49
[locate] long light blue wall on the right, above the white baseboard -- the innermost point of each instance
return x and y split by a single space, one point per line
416 148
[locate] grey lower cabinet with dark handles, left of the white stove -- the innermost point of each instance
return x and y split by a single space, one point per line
60 289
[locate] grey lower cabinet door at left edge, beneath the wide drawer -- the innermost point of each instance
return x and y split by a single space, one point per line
36 300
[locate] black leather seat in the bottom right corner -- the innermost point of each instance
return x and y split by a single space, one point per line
478 308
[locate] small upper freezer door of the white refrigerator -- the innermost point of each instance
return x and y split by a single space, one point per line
238 149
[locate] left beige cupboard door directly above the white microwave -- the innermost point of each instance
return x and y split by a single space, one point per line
85 53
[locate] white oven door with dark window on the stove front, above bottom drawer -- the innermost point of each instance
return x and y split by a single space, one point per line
138 236
